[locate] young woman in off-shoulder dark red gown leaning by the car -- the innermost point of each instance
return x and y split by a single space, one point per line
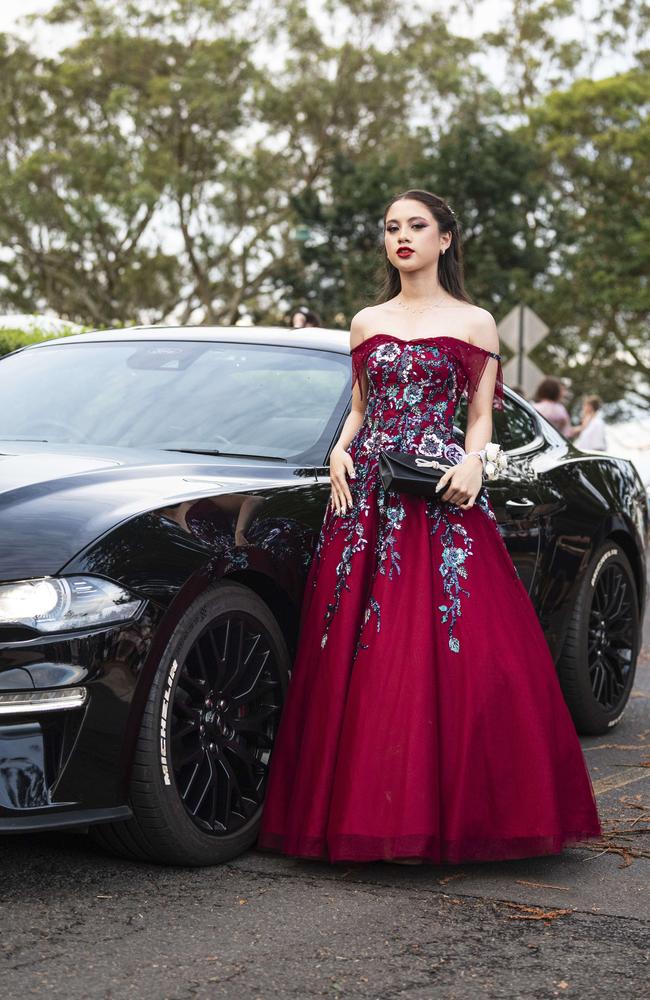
424 719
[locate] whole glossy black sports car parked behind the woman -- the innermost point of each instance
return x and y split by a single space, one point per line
161 493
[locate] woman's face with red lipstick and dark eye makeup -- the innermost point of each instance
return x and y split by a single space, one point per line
409 224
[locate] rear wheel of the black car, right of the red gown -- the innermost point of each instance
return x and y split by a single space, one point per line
598 660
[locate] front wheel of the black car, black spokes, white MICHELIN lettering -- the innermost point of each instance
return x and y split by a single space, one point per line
230 706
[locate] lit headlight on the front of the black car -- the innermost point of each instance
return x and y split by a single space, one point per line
57 604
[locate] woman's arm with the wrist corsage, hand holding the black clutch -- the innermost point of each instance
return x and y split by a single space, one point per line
465 480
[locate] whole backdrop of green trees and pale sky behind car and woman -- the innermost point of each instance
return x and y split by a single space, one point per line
161 166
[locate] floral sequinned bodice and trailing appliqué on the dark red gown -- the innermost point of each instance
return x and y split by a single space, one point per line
413 391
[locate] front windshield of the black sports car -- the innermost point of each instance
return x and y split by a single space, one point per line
280 402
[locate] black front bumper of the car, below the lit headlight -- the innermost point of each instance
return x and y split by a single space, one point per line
65 706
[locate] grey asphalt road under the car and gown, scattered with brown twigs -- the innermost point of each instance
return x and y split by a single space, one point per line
77 924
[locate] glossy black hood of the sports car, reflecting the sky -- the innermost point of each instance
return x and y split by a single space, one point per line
54 501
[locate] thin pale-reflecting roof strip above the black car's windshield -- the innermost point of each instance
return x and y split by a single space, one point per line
321 338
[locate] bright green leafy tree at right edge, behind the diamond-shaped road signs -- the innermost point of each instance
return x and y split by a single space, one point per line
595 138
